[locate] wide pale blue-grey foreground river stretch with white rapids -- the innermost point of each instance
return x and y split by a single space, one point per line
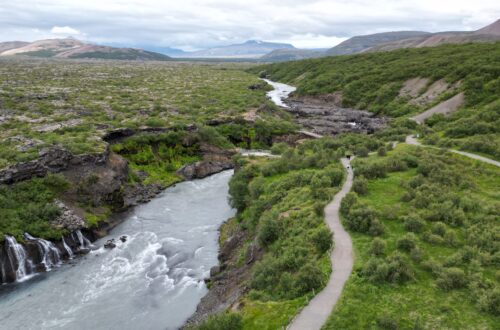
154 280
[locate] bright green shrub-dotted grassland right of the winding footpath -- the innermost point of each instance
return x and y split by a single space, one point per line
435 263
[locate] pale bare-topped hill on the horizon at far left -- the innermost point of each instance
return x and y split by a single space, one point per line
72 48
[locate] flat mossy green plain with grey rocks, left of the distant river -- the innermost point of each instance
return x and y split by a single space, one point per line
108 95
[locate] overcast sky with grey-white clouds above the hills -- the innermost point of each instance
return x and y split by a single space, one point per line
197 24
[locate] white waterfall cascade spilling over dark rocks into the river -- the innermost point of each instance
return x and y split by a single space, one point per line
20 261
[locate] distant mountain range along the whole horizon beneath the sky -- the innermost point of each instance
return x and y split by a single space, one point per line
251 49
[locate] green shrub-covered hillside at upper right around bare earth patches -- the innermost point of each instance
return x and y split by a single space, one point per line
373 82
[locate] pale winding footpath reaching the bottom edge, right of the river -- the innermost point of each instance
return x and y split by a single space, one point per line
315 314
